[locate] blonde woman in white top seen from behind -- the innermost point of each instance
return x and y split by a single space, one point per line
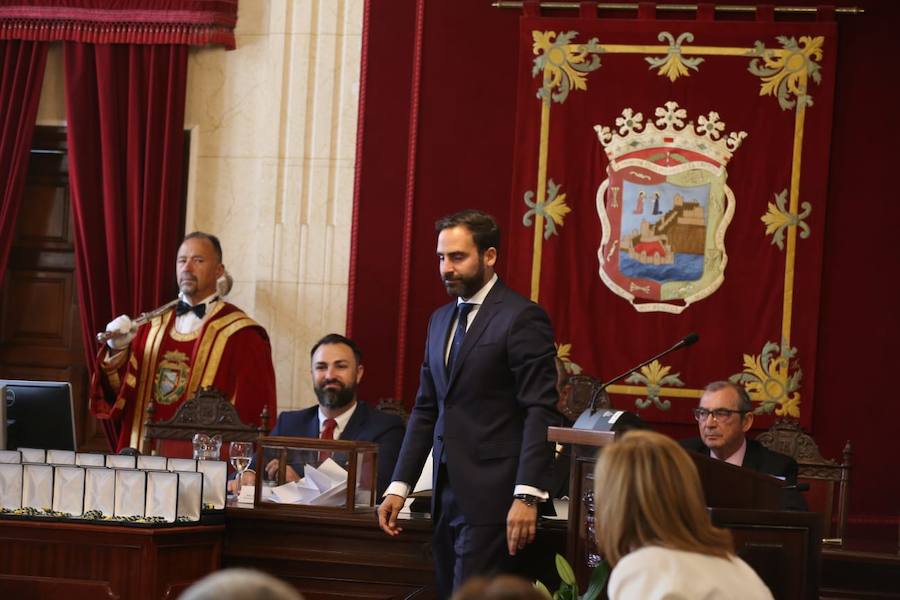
653 528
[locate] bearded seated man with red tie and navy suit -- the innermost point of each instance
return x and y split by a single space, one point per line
336 371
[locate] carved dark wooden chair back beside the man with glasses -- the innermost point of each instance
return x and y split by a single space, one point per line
829 481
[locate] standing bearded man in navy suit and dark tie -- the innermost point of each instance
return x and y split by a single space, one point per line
486 397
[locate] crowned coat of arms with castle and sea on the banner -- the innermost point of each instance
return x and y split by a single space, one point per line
664 207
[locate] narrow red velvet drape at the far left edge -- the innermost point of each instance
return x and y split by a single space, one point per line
21 73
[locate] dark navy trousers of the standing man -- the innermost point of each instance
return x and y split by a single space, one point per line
460 549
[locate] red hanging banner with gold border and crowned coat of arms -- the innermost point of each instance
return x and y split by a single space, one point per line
670 178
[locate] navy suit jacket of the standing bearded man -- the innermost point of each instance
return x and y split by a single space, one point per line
490 415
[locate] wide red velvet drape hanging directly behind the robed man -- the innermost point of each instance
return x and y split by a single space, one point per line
126 114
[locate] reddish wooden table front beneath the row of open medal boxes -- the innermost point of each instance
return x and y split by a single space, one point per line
75 561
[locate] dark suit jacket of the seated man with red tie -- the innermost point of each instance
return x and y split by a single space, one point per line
365 425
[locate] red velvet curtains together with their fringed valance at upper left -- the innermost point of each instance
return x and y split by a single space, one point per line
125 108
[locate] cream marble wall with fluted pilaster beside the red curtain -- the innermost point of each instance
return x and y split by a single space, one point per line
272 160
